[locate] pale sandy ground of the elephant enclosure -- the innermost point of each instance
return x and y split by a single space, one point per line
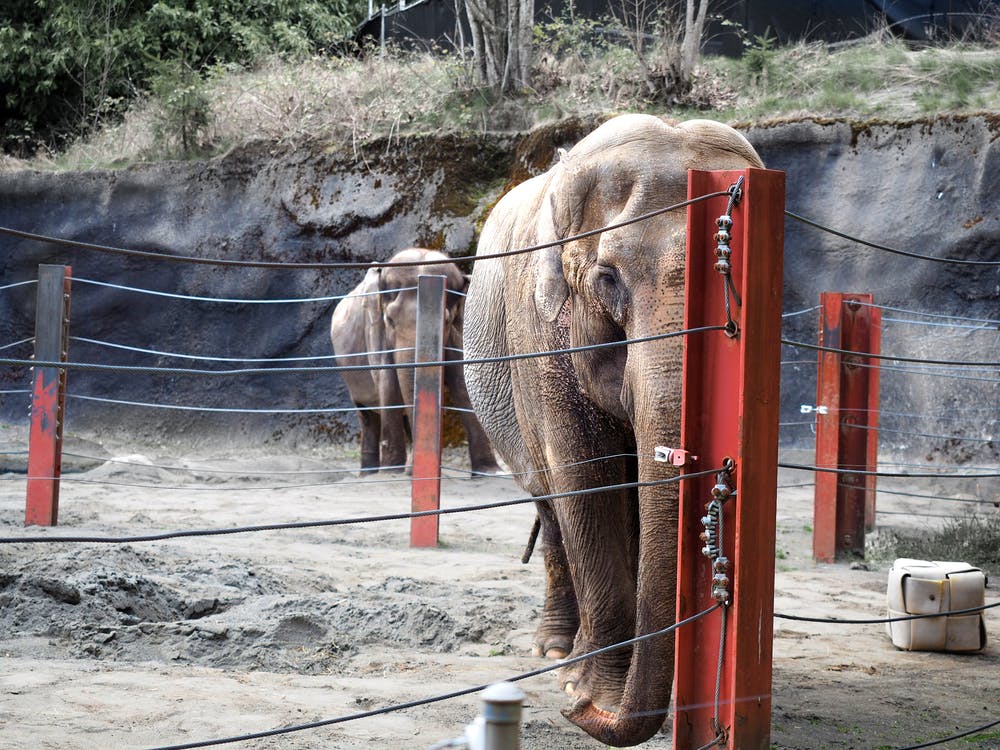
147 645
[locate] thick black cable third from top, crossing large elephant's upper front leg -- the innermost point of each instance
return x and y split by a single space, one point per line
341 521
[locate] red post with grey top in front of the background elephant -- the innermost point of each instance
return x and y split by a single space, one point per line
426 487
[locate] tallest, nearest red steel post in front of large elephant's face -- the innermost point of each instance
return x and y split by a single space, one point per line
730 410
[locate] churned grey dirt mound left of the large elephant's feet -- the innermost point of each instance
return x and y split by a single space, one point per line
124 603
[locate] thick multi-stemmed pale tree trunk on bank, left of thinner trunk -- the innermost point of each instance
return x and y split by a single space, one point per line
501 42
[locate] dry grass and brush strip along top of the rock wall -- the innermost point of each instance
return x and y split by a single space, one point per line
350 101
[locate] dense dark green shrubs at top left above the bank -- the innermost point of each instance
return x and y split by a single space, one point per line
67 66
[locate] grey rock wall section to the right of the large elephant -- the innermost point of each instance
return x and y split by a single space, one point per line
929 188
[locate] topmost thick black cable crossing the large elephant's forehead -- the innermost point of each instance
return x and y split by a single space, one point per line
345 264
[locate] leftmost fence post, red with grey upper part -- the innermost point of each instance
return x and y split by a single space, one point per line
48 397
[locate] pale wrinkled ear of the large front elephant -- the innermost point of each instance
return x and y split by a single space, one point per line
555 221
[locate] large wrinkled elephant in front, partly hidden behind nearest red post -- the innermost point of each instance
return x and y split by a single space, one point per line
594 418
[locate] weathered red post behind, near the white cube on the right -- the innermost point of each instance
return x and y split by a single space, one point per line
846 425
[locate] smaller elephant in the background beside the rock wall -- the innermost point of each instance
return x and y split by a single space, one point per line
377 322
